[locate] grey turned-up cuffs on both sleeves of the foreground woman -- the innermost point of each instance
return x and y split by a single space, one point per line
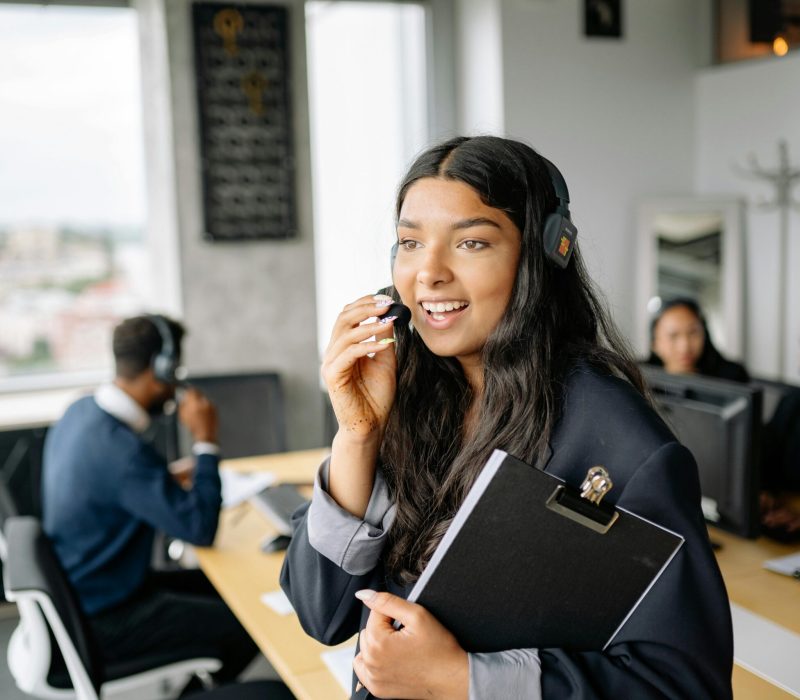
356 545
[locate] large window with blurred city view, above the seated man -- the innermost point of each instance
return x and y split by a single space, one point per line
72 252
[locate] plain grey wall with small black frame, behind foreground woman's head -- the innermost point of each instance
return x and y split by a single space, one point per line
615 115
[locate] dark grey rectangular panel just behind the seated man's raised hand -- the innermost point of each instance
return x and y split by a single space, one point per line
251 410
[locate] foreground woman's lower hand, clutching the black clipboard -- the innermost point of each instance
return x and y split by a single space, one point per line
420 660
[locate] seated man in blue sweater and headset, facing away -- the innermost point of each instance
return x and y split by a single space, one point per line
105 492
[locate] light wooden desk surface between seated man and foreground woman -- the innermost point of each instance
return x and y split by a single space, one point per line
242 573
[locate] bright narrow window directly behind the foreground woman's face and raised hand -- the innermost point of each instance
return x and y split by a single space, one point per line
367 73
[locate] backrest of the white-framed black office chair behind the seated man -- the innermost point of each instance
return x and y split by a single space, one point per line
33 573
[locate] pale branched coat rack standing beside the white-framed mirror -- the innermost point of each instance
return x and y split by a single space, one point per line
783 179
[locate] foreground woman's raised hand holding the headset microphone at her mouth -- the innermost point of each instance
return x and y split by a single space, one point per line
361 387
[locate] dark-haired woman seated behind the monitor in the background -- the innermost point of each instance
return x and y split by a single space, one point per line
681 344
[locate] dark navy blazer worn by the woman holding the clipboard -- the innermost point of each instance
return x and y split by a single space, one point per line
677 644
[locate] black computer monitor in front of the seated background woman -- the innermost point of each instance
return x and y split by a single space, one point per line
720 422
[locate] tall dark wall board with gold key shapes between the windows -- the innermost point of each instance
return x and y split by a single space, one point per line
241 55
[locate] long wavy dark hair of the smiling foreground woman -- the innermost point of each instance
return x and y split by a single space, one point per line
554 320
